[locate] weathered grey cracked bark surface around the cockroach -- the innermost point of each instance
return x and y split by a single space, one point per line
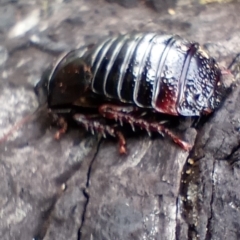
80 187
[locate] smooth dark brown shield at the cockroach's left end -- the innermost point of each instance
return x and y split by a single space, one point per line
62 85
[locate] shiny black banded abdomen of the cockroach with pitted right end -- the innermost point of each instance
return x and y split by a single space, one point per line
152 71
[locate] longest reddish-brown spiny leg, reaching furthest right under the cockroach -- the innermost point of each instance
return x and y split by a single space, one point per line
123 114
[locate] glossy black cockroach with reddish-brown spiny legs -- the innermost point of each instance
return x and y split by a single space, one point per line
123 76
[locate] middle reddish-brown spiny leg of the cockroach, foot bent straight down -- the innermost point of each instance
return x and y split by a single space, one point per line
92 124
